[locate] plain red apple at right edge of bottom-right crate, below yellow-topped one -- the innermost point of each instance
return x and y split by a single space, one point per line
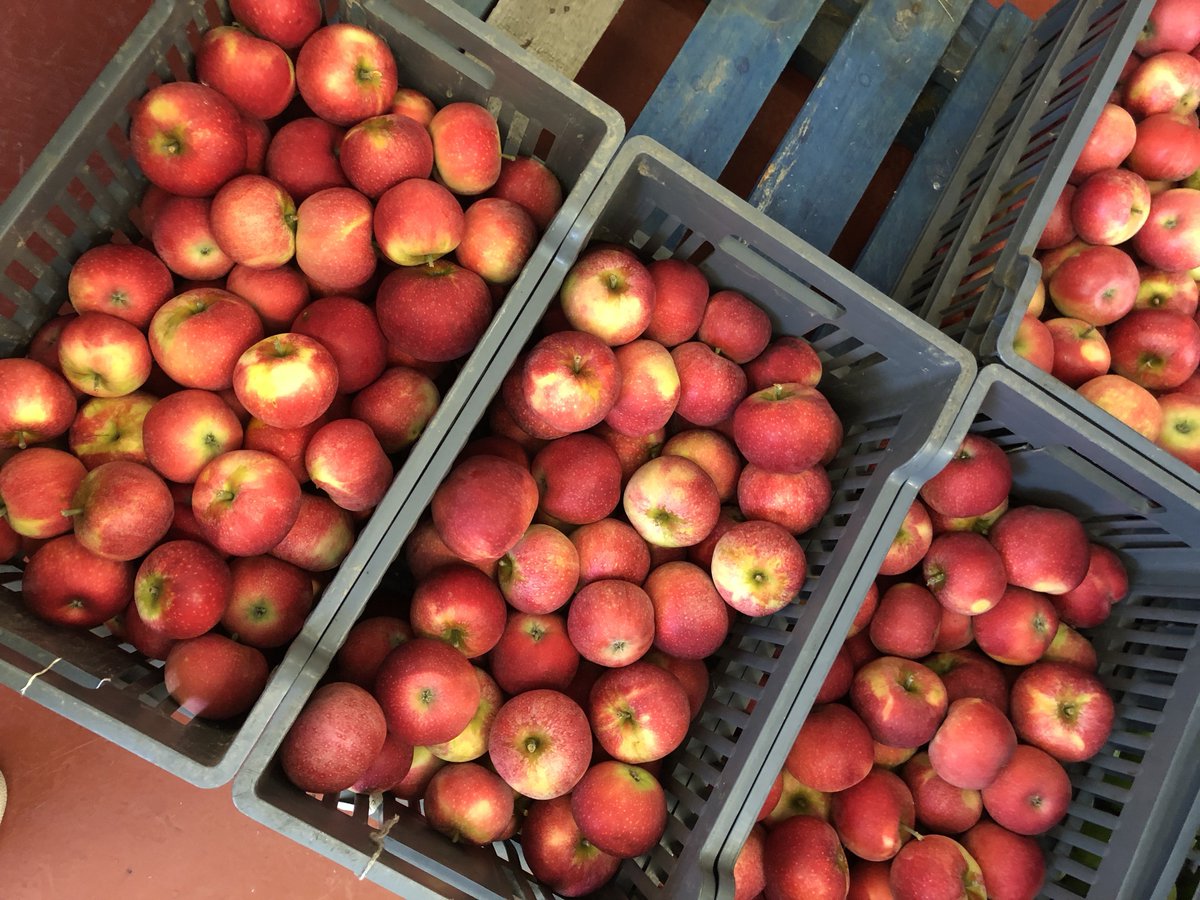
1030 795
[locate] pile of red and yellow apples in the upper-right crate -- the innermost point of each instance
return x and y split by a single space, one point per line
1121 253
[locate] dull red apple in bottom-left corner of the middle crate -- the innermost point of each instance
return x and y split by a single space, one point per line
334 741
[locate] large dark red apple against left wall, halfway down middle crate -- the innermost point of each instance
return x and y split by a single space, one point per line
484 507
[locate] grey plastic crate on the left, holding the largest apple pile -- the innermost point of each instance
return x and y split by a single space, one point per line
85 188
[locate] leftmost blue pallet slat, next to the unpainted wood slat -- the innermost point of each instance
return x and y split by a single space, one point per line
711 94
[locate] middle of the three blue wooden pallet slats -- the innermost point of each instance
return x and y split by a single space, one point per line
856 110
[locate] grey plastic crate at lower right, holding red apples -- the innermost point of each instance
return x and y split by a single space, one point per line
1131 821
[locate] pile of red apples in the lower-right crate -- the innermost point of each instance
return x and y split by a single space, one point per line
963 689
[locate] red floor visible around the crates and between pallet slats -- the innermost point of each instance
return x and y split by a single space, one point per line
87 819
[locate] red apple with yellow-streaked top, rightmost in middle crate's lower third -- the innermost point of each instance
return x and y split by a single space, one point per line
639 713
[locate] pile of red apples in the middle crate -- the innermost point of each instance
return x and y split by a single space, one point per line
577 569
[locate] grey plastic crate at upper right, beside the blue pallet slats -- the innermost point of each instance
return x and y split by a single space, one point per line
975 273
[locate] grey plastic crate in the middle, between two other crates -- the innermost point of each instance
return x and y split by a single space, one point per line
896 382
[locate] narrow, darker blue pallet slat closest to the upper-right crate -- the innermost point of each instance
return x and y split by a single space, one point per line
895 239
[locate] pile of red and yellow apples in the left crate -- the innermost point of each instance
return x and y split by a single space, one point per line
160 435
